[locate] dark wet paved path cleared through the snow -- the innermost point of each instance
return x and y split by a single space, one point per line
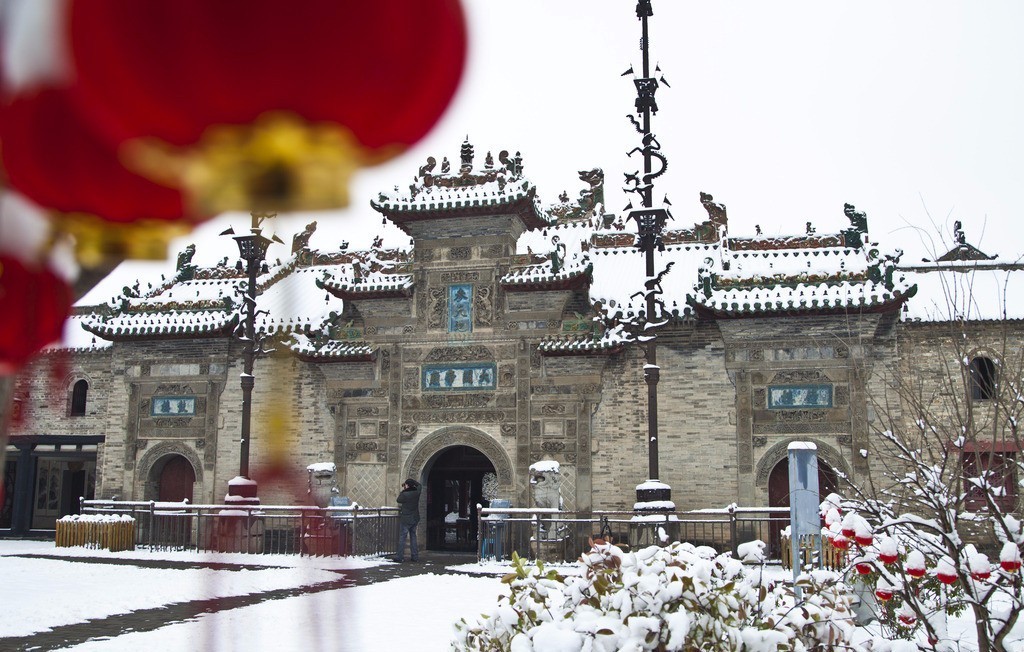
149 620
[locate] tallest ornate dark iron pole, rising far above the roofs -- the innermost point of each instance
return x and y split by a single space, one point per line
651 226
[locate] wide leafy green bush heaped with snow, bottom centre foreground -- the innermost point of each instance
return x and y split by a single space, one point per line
675 598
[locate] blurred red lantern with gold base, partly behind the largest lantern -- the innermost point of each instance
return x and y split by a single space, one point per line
55 158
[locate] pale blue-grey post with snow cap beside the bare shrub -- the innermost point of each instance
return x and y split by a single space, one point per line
805 502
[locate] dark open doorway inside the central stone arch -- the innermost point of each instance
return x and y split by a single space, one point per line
455 488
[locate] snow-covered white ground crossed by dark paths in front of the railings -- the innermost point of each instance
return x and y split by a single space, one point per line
410 614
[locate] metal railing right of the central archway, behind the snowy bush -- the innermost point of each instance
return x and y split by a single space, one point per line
561 536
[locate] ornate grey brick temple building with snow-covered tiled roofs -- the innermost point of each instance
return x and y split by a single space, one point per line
509 332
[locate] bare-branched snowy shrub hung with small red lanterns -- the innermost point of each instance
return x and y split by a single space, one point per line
921 569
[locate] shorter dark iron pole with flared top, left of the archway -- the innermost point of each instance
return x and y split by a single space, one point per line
252 250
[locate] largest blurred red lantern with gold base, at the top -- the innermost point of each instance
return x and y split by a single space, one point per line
268 105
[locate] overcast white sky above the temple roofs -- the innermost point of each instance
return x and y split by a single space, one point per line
784 111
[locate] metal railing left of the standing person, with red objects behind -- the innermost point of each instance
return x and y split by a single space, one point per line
259 530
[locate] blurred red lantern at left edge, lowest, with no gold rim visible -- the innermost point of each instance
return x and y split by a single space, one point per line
35 303
